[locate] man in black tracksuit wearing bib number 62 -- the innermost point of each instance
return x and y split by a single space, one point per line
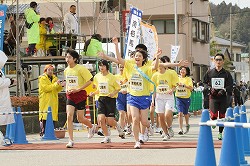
219 81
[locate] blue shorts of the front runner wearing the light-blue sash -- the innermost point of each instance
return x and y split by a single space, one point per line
140 102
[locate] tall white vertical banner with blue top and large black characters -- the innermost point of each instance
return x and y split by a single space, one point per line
133 32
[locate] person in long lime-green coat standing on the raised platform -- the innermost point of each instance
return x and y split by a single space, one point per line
32 18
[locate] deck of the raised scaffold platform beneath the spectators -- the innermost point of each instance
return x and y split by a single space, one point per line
47 60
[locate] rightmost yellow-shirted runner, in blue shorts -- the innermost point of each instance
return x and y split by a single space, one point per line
183 93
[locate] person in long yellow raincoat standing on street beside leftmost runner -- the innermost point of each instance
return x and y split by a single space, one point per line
49 87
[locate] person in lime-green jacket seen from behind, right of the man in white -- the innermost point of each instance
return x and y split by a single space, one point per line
93 45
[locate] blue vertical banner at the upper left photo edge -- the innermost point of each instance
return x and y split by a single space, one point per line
3 9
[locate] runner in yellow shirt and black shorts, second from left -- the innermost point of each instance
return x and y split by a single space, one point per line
108 89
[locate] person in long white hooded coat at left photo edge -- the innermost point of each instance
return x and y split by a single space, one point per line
5 102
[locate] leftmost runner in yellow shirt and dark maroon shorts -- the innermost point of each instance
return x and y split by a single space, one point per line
78 78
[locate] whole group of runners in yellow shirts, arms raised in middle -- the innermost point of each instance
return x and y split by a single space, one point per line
141 85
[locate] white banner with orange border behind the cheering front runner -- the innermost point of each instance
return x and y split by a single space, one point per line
150 39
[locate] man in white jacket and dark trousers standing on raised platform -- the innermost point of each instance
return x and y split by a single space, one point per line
71 26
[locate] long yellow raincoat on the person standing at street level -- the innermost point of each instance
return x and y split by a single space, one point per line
48 96
